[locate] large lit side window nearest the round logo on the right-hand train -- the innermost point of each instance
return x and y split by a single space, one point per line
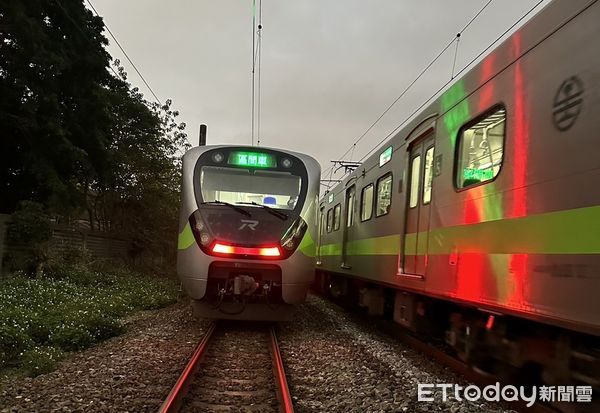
480 149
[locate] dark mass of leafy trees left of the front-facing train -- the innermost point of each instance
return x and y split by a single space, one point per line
77 138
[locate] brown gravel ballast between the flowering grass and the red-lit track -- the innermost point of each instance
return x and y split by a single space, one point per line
130 373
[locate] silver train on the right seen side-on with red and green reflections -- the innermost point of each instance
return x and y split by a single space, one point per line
478 223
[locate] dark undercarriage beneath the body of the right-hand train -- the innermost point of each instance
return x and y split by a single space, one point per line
514 349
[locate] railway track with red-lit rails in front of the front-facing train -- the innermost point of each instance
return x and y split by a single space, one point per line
235 368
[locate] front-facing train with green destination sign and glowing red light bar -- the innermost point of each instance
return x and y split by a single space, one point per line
247 224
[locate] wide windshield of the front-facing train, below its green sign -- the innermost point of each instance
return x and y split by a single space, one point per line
274 189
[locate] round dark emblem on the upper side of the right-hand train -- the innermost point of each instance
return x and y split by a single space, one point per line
567 103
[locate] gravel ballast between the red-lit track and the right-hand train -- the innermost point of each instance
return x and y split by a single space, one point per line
339 363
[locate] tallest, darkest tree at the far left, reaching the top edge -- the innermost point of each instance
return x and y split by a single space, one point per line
53 78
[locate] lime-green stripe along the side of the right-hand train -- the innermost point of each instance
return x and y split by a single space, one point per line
574 231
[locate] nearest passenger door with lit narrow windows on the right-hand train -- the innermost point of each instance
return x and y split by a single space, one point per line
418 206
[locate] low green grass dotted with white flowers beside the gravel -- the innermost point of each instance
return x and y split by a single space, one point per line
69 308
